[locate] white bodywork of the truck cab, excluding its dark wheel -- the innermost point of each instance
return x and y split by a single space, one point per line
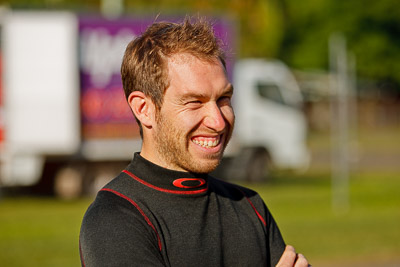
279 124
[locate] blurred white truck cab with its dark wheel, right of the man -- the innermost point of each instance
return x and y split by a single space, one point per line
270 128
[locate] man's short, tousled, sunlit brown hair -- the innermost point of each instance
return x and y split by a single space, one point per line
144 66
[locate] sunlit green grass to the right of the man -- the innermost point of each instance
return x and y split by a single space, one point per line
368 232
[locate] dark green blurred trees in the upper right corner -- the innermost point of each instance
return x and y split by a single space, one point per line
372 29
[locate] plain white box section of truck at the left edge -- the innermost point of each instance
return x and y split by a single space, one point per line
40 93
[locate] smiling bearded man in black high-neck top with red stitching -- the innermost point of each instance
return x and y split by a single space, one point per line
164 209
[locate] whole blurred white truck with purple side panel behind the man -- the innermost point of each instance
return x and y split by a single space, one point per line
65 127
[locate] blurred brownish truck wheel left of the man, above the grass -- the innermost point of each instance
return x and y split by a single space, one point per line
68 183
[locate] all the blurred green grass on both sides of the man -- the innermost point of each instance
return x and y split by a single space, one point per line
44 231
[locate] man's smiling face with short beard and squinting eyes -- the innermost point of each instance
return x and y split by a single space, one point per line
196 119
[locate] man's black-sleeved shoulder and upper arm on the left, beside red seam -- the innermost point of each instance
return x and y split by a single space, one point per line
116 231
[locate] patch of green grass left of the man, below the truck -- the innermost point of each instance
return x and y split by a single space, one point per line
40 232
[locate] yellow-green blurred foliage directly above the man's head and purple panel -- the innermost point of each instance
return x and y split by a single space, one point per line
259 22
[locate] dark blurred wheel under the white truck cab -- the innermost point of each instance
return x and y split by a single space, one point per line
257 166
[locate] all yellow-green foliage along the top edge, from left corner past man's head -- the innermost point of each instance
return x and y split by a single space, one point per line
259 22
